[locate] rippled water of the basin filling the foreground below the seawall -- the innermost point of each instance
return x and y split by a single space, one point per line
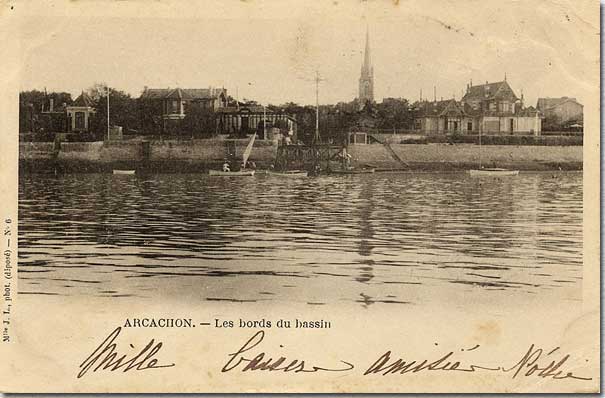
367 240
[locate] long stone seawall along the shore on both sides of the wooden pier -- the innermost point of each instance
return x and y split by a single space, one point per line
199 155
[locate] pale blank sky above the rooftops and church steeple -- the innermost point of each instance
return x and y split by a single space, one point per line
269 50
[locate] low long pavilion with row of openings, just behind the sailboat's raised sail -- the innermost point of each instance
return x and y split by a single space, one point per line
242 120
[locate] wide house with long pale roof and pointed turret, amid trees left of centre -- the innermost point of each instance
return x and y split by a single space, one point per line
170 105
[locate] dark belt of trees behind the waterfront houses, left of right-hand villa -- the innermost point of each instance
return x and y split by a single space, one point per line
145 117
